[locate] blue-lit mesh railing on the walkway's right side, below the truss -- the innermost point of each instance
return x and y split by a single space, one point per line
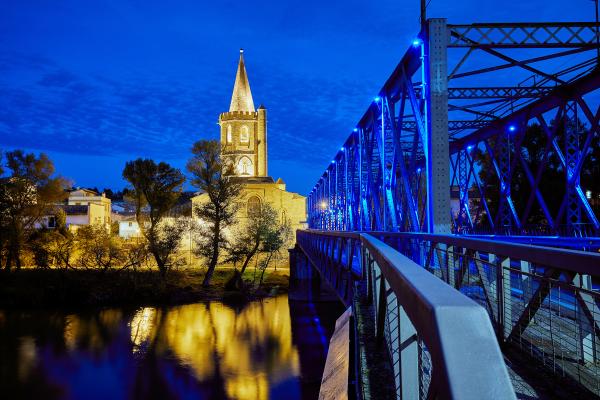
541 300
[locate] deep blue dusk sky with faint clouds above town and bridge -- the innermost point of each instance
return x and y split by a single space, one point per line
96 83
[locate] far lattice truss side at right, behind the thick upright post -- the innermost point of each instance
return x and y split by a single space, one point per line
571 153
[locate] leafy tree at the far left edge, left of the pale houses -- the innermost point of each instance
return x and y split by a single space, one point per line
26 195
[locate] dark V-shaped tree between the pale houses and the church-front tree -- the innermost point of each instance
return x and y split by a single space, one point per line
155 189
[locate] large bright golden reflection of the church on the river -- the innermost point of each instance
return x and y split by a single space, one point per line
250 350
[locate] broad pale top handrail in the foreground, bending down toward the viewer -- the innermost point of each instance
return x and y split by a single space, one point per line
467 361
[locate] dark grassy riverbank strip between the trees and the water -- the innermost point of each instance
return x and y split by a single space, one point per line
32 288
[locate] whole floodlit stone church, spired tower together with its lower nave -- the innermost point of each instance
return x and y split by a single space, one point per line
244 145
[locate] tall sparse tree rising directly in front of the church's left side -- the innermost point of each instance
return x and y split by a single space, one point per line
218 211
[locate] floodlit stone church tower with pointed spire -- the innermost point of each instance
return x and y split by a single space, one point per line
244 130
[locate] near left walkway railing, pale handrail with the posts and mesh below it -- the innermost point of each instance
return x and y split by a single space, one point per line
440 343
